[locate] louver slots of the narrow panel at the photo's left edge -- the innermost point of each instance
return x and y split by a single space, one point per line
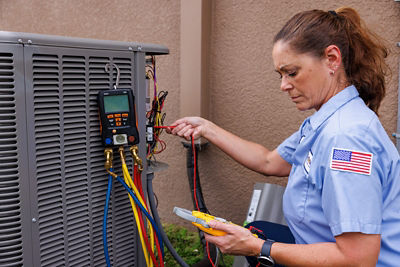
11 252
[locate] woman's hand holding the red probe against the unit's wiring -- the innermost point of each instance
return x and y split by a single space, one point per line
188 126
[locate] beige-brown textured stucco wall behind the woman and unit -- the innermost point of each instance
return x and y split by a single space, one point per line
244 95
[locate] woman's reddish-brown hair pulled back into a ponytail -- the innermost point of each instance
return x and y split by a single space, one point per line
363 52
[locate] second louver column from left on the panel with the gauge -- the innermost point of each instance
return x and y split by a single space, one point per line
75 160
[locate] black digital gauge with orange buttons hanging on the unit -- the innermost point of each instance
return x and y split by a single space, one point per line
117 117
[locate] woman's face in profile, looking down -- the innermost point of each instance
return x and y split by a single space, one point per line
304 77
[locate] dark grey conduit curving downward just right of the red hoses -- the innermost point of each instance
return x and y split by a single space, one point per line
156 217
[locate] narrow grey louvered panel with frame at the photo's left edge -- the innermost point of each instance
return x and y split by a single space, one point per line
15 238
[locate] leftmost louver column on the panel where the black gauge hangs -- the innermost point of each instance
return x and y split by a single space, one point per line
46 102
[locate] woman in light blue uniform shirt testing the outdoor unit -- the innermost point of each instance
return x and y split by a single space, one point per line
342 200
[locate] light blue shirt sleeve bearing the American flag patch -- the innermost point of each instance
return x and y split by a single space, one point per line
351 200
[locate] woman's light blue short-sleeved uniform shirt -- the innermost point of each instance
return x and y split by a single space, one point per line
321 202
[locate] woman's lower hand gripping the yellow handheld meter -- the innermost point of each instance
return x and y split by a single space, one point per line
237 241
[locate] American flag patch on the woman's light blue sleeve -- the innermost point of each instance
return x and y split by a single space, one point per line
351 161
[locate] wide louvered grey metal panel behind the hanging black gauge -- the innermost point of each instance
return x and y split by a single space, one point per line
68 180
